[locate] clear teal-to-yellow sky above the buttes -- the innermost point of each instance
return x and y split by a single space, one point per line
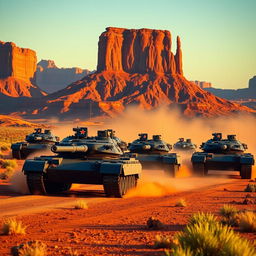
218 36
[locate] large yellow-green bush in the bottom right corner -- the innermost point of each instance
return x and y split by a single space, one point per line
210 240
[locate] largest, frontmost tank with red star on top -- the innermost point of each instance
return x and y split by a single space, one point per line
84 160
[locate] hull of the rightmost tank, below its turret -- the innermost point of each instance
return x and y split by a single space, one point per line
202 162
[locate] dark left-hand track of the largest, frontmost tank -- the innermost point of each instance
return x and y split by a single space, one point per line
35 183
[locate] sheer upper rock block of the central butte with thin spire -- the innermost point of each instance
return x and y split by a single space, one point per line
138 51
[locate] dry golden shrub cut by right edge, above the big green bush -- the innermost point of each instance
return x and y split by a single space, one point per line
247 221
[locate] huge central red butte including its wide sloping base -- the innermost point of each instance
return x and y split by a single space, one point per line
135 67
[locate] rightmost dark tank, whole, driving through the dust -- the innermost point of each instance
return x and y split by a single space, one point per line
223 154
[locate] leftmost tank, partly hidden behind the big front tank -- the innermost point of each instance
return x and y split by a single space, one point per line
38 141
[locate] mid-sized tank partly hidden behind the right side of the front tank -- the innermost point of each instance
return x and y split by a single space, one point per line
154 154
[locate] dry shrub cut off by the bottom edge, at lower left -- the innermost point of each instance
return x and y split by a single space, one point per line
31 248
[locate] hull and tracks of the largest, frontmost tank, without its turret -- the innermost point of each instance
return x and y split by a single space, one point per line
116 175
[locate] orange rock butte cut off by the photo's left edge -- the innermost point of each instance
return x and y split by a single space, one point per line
17 71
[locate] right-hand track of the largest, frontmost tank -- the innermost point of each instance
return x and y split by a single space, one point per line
117 186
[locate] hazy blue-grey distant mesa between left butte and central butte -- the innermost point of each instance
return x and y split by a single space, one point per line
50 78
